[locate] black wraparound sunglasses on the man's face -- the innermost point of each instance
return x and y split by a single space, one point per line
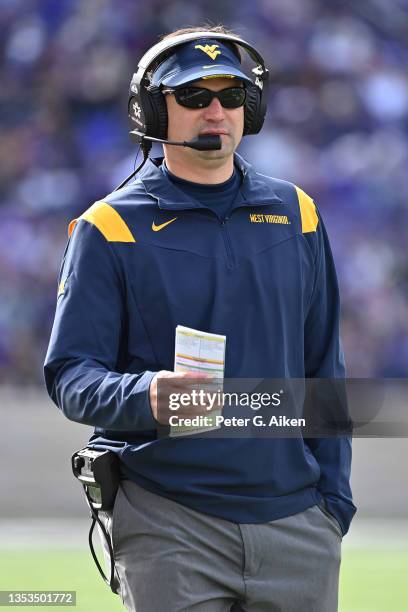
199 97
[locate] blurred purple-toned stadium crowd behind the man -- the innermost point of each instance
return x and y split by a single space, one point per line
336 126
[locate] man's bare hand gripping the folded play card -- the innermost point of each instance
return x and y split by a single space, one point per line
177 383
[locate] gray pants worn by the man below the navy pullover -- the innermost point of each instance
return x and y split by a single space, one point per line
170 558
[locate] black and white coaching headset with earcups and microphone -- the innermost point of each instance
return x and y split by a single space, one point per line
147 109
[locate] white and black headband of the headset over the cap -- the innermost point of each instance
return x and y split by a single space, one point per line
154 52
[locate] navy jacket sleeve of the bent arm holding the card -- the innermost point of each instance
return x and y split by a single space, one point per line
82 357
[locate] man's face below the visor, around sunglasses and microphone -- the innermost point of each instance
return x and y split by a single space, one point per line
186 124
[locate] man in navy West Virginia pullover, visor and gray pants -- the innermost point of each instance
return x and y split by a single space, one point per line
202 240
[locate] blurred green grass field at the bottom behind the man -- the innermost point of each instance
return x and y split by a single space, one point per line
371 580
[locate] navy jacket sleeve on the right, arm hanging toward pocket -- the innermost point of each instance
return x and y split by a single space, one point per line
324 360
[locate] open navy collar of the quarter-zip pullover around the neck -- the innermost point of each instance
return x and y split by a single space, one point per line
254 190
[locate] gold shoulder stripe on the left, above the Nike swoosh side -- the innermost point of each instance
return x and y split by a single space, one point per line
107 220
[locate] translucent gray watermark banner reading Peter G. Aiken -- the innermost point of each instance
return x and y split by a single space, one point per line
284 407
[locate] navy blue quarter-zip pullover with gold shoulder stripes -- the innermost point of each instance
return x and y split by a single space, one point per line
264 277
